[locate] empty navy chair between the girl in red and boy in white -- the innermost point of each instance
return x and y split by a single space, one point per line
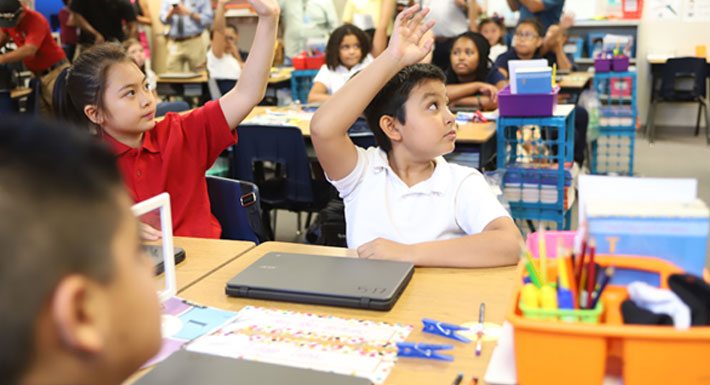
275 158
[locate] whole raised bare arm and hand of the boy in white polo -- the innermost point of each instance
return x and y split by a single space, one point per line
329 126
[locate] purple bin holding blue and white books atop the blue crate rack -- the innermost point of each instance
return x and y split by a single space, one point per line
526 104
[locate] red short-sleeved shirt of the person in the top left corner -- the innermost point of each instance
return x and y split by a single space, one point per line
34 29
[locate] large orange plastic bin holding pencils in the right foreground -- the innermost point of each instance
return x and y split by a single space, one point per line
558 352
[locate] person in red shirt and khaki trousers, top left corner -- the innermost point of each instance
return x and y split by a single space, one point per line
36 47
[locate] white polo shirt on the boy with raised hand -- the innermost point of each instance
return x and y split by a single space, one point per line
455 201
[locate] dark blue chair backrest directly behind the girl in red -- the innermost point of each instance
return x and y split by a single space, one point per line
237 207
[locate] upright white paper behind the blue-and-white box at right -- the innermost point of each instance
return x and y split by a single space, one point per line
634 189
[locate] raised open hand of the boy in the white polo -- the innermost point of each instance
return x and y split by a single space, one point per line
406 43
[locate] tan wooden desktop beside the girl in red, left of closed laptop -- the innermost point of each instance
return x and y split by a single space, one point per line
204 256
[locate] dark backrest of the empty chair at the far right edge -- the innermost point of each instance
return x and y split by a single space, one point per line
684 78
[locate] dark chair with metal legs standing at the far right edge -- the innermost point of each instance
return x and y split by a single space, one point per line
682 80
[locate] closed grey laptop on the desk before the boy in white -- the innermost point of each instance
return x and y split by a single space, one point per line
323 280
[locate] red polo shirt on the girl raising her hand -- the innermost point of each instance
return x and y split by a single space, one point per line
173 158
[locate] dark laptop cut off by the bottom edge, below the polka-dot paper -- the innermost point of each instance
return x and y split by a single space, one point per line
188 368
